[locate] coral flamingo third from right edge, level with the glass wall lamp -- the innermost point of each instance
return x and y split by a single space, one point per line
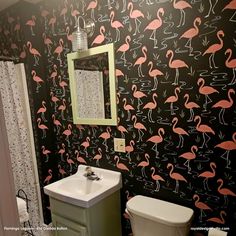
191 33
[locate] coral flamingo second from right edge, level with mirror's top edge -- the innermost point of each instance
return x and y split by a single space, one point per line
215 48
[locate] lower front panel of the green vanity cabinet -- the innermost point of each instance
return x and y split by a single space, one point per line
66 227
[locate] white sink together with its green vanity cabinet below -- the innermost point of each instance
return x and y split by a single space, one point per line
84 207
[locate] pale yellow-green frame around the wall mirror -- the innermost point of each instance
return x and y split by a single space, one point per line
109 49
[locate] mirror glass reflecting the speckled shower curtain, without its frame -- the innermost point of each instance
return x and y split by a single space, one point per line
92 85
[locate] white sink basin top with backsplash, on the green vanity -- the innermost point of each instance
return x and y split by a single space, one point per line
80 191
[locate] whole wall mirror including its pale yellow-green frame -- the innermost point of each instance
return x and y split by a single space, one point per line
93 86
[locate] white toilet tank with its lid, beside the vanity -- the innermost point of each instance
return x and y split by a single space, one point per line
153 217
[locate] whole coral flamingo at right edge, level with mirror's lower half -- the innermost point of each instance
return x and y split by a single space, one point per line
224 104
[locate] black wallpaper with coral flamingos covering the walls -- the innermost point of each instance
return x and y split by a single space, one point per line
175 67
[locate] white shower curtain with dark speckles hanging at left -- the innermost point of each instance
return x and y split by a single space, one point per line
13 94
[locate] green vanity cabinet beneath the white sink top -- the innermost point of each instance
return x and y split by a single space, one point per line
100 219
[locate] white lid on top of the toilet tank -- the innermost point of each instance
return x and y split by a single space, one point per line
160 211
